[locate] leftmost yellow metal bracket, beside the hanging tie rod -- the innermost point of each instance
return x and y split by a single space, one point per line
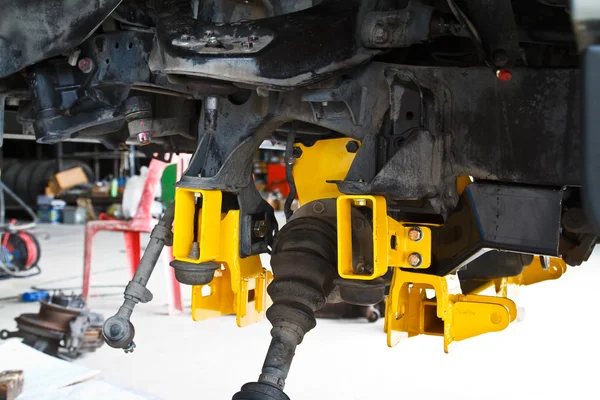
240 284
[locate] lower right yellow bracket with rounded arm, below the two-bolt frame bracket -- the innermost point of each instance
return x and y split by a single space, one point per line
456 317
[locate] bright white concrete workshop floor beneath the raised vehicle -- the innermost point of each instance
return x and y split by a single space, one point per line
553 353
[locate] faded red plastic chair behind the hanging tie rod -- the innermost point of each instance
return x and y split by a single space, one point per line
141 222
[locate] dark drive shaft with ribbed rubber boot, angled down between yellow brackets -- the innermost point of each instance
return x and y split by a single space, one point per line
304 265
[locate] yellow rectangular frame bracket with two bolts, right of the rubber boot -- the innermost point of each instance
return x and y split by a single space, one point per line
395 244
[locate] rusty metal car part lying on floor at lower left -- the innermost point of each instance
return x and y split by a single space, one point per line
63 327
